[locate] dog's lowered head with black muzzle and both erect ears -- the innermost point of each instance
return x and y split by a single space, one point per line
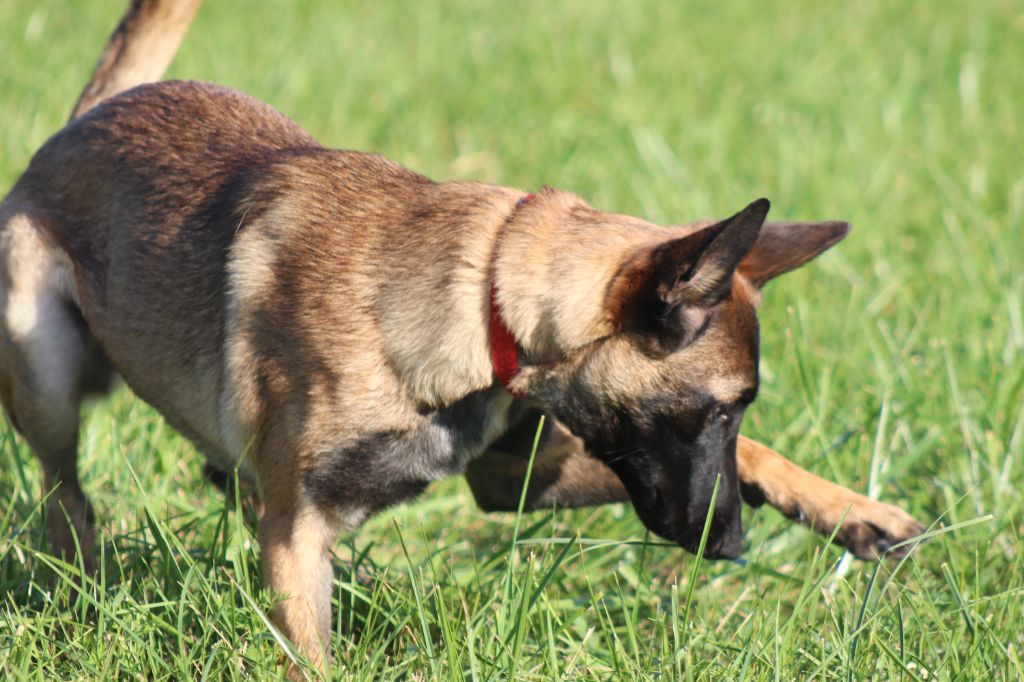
661 398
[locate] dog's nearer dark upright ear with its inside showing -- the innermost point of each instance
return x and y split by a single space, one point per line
668 293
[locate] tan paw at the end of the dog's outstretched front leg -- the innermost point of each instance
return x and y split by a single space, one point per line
870 530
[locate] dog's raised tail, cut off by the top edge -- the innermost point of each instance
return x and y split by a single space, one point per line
140 50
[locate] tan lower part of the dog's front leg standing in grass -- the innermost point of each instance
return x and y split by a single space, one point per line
295 539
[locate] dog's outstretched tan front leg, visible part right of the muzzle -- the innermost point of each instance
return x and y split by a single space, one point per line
868 528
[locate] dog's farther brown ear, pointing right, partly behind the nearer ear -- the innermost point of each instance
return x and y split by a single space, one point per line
786 246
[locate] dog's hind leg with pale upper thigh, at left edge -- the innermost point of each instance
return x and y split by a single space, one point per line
48 360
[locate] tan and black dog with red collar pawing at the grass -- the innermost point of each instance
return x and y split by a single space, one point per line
345 331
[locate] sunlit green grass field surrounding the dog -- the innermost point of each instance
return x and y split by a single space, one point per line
894 365
